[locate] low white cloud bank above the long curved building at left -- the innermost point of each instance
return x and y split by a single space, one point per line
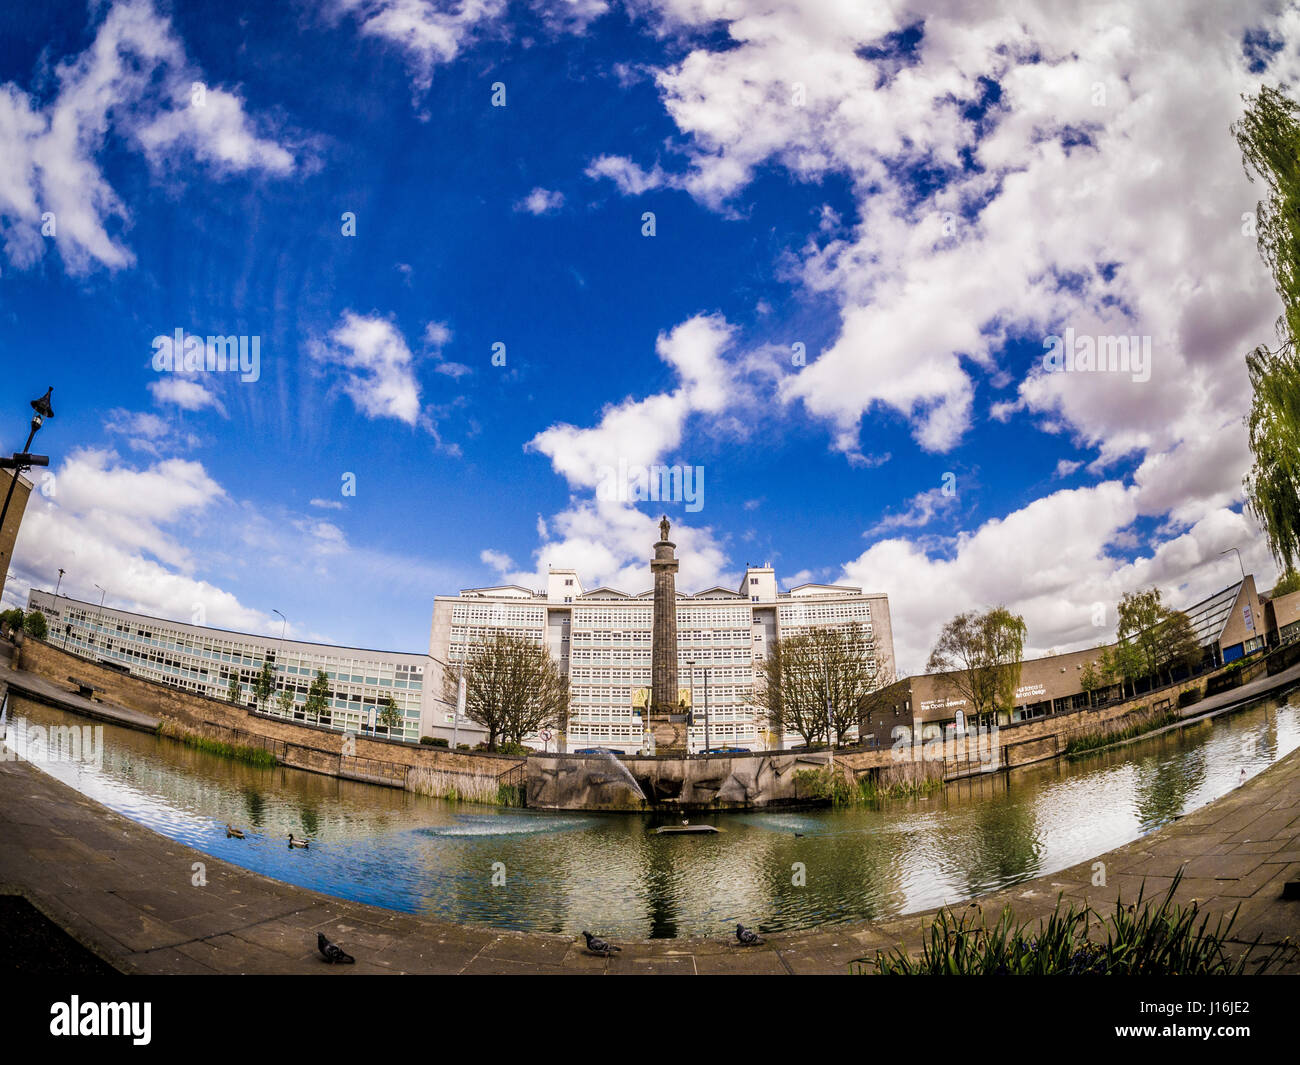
166 539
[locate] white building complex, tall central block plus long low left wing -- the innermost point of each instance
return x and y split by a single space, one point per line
601 640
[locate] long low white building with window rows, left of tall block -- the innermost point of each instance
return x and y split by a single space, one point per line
205 660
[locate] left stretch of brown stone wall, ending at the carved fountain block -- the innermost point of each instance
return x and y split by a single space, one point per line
315 748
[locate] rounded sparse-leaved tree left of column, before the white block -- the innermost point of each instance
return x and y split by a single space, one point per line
513 689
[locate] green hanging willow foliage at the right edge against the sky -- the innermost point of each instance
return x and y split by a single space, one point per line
1269 137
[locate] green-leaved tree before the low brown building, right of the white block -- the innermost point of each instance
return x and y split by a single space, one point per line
980 656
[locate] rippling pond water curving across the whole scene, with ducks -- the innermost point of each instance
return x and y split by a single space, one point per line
569 872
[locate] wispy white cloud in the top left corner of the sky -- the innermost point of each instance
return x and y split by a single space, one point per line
135 83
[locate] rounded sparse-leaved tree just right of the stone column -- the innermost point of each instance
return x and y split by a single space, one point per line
821 683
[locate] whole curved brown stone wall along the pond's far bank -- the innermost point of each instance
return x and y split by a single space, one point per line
597 783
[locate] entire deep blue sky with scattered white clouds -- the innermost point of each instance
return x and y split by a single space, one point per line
917 200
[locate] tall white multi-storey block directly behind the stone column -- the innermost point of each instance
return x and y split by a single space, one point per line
601 640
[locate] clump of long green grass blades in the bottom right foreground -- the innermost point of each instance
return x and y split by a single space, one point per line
1141 940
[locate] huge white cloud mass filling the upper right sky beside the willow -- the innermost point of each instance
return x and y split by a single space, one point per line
1098 188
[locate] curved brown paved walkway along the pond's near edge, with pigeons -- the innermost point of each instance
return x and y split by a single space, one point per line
128 894
